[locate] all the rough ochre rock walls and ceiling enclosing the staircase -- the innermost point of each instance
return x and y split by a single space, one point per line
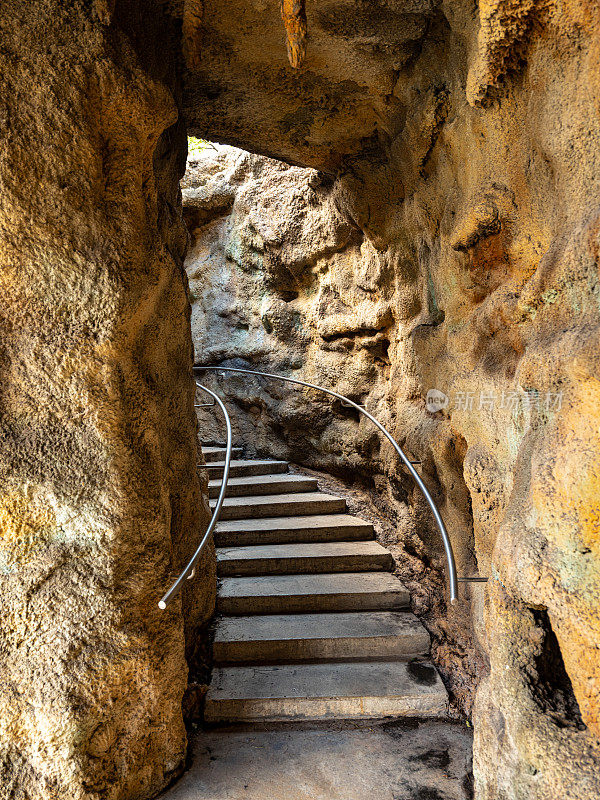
459 251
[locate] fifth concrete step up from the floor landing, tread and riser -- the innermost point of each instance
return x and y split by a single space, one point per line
279 530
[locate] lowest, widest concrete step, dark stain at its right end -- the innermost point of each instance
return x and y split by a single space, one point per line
355 690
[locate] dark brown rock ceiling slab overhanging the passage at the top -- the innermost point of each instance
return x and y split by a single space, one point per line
244 90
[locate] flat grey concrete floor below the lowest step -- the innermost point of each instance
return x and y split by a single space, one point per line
409 760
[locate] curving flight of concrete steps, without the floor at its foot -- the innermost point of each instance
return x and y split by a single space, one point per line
312 623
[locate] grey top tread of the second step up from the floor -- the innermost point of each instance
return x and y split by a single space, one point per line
353 624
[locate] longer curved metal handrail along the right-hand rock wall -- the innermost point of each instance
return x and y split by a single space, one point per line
452 576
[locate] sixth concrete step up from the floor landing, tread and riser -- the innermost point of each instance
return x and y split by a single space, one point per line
281 505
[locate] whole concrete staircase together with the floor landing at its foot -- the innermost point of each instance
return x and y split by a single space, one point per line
322 686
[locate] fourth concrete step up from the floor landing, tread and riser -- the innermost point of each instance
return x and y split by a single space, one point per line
312 557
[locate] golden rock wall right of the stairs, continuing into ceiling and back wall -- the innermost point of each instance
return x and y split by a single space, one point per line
462 148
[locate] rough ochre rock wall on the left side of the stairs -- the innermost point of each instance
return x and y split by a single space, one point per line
99 499
